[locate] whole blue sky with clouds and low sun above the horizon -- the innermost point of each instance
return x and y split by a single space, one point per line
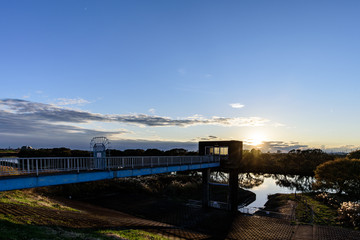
278 75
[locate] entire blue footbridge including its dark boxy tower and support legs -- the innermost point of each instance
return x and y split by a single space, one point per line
21 173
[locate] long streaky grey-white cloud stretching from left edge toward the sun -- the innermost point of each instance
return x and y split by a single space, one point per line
33 111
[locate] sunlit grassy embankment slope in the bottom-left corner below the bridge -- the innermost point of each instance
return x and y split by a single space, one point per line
26 220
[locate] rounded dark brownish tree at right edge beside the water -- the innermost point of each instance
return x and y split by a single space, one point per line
342 175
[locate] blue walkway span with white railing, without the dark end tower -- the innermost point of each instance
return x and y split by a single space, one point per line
39 172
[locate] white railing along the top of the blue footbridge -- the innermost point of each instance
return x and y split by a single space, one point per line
21 166
